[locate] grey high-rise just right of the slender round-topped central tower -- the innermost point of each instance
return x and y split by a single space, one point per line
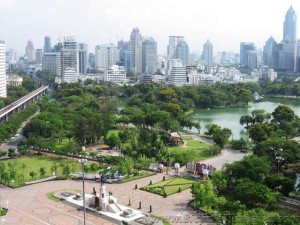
149 55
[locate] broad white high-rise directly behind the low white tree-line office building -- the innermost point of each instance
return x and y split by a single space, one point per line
106 56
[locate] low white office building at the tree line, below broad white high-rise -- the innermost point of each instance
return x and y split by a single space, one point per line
116 74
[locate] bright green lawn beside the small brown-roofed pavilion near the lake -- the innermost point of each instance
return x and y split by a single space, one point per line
202 149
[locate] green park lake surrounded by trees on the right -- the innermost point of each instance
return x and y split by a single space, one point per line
230 117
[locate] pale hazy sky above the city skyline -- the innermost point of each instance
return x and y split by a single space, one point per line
224 22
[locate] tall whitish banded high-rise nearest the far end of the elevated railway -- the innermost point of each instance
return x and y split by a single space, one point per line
67 61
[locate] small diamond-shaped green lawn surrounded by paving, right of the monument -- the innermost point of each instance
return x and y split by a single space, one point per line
170 186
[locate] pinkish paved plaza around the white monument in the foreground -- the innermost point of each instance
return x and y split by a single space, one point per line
30 205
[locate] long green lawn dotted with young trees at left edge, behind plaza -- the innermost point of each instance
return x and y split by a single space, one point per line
34 163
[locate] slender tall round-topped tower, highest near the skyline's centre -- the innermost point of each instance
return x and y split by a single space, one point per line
136 47
